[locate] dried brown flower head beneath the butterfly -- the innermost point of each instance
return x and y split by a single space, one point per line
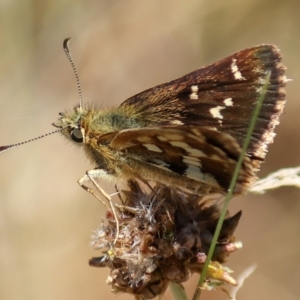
164 235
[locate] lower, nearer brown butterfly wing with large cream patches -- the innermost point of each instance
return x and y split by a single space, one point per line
202 155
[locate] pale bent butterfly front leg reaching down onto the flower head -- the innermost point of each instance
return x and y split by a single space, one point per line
91 175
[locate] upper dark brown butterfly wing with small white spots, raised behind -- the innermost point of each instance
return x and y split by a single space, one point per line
222 96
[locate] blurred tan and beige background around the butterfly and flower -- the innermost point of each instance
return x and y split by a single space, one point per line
121 48
